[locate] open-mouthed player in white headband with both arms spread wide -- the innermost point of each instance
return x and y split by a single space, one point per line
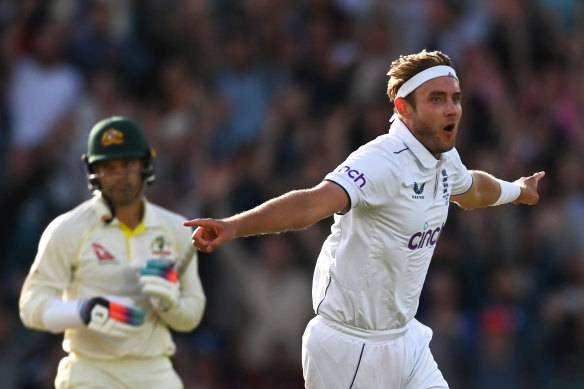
390 200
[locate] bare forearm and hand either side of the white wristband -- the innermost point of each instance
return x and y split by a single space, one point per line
486 191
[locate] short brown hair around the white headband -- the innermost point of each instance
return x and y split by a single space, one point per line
407 66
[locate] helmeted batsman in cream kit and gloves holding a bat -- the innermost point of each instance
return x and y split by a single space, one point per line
106 273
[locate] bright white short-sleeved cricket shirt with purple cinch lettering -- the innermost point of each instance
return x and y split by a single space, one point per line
372 266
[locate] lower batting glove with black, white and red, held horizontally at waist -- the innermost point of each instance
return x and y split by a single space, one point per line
112 318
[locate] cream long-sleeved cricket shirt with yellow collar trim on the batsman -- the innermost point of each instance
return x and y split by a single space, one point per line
80 257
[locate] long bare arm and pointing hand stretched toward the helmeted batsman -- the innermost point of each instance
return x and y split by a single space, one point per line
294 210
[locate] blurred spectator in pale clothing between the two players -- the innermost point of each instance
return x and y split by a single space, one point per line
277 304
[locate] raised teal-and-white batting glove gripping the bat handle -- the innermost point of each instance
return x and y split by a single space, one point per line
159 280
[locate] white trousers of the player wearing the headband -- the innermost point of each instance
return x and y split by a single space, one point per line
336 356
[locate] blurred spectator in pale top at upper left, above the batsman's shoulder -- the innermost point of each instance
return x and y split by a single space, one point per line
41 96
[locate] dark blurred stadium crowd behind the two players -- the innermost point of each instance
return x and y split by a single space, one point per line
246 99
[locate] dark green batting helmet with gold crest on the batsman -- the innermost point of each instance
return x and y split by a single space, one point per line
118 138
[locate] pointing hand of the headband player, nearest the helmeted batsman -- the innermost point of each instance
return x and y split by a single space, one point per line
210 233
